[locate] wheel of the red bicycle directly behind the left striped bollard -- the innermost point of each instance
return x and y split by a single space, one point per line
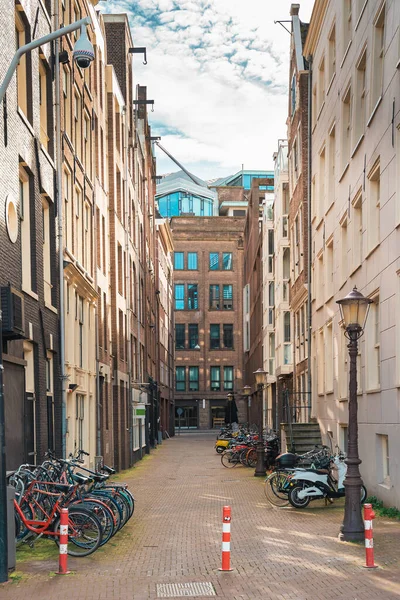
84 532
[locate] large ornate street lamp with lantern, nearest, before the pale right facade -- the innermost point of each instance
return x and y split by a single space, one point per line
354 310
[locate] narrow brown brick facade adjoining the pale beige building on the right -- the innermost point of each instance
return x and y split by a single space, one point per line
295 211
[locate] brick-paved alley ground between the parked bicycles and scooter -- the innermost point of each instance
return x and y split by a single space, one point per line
175 537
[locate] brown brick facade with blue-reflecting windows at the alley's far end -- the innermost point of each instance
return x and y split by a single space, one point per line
208 288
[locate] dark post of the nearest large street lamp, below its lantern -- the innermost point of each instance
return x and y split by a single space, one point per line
352 528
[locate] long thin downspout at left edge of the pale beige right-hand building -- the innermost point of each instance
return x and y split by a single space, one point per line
309 249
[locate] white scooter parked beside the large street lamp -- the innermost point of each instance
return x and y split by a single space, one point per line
312 484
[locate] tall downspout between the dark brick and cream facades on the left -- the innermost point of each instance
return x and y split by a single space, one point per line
60 238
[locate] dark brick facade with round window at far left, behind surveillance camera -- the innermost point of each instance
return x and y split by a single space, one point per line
28 265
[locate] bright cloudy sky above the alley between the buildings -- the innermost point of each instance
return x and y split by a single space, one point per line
218 72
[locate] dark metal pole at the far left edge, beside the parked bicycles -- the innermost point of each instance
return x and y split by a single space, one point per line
3 480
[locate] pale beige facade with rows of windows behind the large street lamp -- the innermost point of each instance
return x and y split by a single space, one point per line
355 50
